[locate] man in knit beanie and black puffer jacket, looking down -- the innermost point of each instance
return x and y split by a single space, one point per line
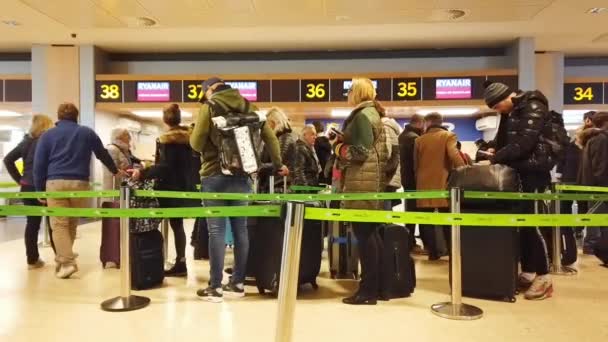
519 145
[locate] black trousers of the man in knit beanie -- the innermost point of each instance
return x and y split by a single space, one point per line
534 252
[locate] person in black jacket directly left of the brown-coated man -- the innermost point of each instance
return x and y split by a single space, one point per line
407 138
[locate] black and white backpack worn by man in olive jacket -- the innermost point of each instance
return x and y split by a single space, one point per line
238 138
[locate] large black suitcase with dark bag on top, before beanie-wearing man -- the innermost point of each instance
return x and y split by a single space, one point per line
490 255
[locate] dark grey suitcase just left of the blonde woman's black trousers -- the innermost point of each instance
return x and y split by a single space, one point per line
343 252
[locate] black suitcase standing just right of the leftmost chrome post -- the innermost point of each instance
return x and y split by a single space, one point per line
147 261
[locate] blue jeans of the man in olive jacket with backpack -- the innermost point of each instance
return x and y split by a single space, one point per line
217 228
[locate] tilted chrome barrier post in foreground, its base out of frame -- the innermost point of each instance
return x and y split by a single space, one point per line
290 264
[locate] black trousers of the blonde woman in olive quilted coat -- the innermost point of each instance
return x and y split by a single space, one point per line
370 253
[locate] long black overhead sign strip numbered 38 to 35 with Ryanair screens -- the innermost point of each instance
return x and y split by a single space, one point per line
301 90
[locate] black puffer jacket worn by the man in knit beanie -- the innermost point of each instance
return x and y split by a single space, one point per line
522 146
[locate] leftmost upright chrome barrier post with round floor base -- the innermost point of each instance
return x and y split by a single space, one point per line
126 301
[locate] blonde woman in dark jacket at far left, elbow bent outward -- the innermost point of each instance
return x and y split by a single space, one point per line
26 151
